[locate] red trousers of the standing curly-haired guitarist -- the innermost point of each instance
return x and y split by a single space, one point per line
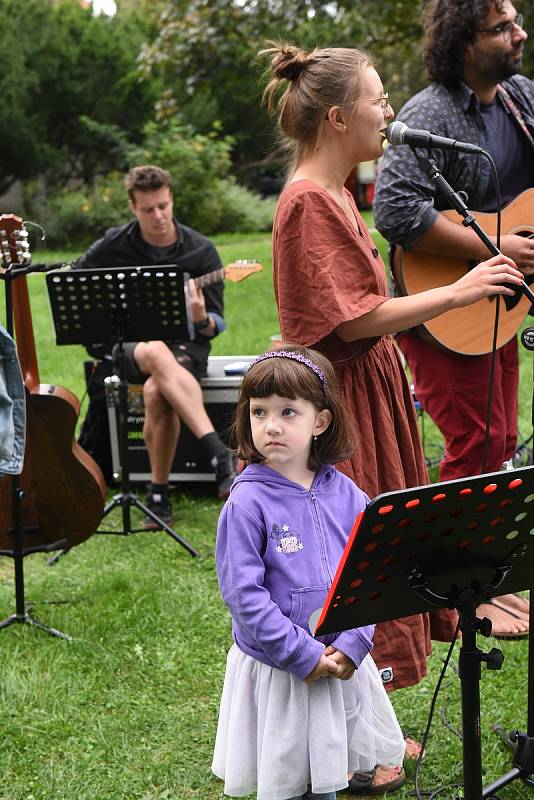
453 390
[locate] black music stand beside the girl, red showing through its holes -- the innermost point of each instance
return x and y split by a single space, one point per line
454 544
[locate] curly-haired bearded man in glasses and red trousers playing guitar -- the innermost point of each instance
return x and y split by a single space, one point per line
473 53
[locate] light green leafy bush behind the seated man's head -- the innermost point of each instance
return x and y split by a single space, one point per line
206 196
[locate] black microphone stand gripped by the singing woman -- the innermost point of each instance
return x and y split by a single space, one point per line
521 743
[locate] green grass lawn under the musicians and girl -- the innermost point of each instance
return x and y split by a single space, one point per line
127 710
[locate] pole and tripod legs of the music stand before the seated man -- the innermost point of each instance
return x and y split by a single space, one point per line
126 499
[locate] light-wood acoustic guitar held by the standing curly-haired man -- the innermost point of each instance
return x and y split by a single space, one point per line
467 331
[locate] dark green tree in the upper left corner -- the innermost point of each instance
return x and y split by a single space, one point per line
71 92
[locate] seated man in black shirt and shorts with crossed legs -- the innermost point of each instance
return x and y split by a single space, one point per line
170 371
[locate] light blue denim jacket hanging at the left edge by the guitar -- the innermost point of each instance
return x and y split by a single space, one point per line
12 408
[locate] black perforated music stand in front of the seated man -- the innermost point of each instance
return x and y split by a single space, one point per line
113 306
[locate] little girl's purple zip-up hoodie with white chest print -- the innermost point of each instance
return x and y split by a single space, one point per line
278 547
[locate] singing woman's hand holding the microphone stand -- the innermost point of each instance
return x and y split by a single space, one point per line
486 279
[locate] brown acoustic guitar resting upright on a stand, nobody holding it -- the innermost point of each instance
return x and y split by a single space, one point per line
63 488
